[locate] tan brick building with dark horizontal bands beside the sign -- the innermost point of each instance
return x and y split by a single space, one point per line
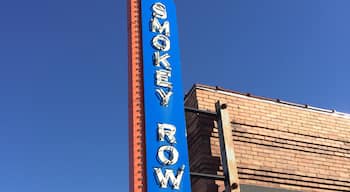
278 145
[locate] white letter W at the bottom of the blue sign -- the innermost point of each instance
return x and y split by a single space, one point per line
169 174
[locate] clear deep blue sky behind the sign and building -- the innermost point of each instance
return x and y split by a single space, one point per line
63 77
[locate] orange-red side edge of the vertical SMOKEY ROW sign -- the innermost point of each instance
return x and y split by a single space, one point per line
137 180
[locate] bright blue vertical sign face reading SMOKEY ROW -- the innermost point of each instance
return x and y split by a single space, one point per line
166 143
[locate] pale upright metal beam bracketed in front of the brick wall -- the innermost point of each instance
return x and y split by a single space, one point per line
226 148
